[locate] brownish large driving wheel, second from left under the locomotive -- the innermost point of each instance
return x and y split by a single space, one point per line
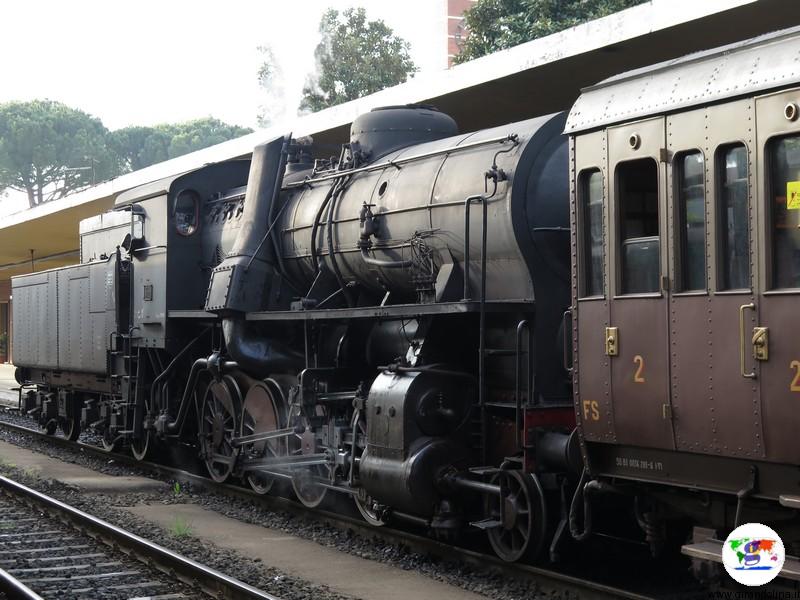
262 412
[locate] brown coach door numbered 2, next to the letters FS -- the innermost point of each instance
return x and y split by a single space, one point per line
637 341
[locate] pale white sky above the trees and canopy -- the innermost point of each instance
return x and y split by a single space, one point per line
152 62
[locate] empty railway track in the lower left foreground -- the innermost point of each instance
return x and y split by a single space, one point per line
49 549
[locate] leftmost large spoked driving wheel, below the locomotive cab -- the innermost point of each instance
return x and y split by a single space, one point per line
218 422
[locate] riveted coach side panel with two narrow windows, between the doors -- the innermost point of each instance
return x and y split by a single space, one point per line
712 306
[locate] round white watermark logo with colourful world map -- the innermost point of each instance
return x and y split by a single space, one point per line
753 554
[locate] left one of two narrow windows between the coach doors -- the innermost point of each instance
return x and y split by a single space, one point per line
690 177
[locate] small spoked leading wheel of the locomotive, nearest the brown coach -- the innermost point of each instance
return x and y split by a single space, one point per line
522 513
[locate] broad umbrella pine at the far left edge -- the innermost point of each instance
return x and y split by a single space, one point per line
48 150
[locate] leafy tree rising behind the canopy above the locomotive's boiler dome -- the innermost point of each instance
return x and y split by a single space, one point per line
355 57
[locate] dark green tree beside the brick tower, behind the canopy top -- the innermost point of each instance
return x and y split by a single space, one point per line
494 25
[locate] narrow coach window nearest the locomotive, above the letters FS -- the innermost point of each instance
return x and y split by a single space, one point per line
591 230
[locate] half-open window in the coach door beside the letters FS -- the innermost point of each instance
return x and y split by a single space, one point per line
637 201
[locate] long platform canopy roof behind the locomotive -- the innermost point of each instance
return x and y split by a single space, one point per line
535 78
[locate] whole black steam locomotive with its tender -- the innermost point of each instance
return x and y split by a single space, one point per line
366 325
